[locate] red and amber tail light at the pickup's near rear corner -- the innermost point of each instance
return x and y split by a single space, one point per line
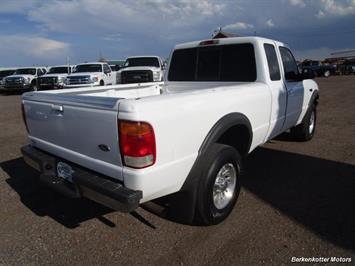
137 143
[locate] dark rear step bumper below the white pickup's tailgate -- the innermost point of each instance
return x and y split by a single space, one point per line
85 183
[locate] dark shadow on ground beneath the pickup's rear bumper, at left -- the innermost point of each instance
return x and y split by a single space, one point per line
46 202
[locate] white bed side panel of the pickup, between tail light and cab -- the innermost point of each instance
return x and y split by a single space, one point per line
181 122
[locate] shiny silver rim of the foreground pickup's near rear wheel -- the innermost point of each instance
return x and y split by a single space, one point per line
224 186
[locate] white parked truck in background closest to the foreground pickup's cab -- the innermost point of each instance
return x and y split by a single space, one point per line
139 69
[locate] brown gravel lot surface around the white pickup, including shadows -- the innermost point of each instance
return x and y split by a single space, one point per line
298 200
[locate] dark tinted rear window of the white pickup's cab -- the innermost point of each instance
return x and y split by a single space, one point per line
214 63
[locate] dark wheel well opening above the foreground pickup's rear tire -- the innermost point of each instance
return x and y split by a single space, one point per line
237 136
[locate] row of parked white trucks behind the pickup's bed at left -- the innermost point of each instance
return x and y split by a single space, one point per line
137 69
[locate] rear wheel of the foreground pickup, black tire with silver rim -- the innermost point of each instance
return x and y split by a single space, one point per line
219 184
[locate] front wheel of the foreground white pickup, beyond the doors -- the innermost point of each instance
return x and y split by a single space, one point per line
305 130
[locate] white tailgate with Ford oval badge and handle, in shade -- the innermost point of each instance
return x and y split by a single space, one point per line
80 129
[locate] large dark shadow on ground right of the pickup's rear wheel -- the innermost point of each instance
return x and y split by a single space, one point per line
317 193
